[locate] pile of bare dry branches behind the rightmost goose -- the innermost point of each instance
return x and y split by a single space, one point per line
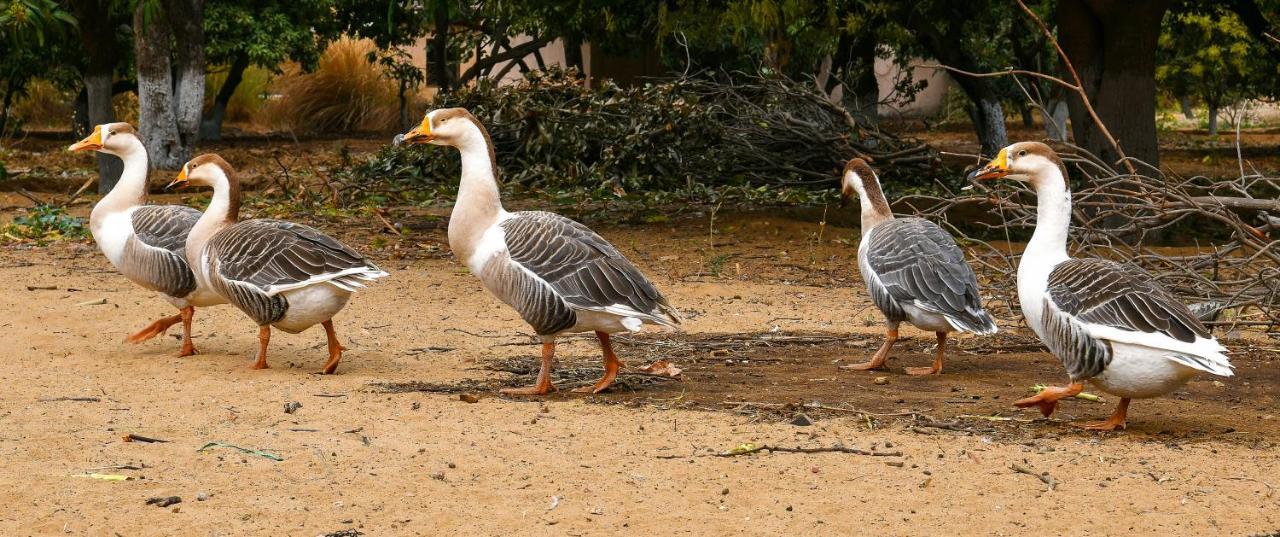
1124 217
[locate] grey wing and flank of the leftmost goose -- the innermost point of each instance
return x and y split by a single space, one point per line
156 254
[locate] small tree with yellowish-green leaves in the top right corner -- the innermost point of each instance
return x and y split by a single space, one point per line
1212 56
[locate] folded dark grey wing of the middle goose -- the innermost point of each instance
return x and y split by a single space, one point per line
586 270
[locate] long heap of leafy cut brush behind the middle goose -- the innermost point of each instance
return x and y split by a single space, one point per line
554 134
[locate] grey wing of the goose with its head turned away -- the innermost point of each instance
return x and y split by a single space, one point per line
917 263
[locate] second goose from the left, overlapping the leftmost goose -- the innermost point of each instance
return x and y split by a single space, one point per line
281 274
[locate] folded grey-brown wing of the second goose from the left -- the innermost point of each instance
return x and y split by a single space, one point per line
275 256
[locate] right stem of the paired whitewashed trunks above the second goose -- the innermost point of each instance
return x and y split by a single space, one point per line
188 21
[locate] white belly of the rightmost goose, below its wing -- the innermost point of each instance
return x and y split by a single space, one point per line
1141 373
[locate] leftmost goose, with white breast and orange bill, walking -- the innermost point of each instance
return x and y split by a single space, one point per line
145 242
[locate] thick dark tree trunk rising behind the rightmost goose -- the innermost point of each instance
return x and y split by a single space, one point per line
1113 47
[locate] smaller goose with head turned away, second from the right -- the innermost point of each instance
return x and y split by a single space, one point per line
915 273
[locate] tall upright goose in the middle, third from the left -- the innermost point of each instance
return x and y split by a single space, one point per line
557 274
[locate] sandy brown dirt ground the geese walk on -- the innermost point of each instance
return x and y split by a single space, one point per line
772 305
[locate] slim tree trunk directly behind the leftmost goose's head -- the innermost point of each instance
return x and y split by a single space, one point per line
98 40
